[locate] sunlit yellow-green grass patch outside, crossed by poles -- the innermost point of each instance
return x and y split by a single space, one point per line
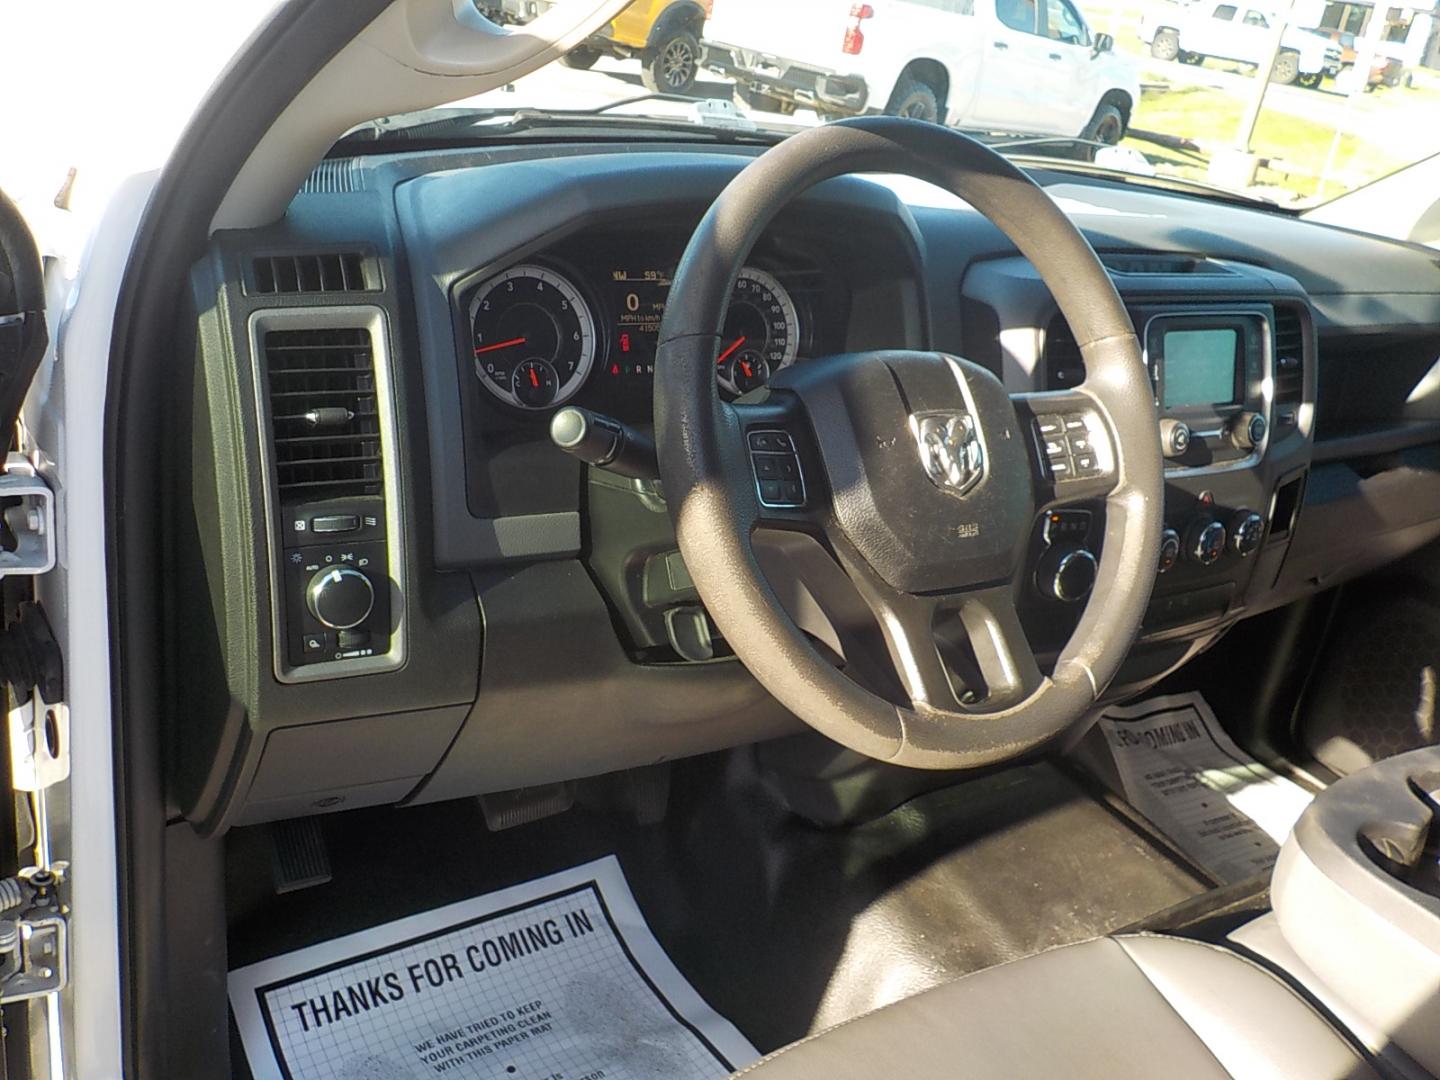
1301 148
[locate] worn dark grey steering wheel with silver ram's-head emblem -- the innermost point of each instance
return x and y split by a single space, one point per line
918 474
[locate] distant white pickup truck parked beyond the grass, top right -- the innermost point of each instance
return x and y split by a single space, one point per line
1238 31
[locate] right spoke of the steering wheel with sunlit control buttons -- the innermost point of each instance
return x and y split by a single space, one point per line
1072 446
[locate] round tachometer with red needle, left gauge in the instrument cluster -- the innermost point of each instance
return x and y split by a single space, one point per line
534 338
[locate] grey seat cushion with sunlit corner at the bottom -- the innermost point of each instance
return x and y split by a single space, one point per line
1112 1009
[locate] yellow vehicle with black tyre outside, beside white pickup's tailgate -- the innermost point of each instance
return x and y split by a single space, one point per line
663 35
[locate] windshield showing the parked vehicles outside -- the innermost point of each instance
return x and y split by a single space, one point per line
1285 104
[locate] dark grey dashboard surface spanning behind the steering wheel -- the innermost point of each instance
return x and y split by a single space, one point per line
508 538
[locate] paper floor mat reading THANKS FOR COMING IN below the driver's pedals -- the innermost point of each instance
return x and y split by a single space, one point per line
555 980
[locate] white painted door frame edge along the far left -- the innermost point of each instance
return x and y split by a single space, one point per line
66 418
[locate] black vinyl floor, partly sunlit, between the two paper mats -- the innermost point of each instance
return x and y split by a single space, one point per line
783 927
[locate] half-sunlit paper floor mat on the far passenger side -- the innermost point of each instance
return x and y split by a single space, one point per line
1218 804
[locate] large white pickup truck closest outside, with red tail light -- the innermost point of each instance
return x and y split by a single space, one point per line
1030 67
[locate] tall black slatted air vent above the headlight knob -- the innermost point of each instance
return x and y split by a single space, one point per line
325 415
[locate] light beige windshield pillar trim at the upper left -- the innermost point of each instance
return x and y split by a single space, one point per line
415 55
